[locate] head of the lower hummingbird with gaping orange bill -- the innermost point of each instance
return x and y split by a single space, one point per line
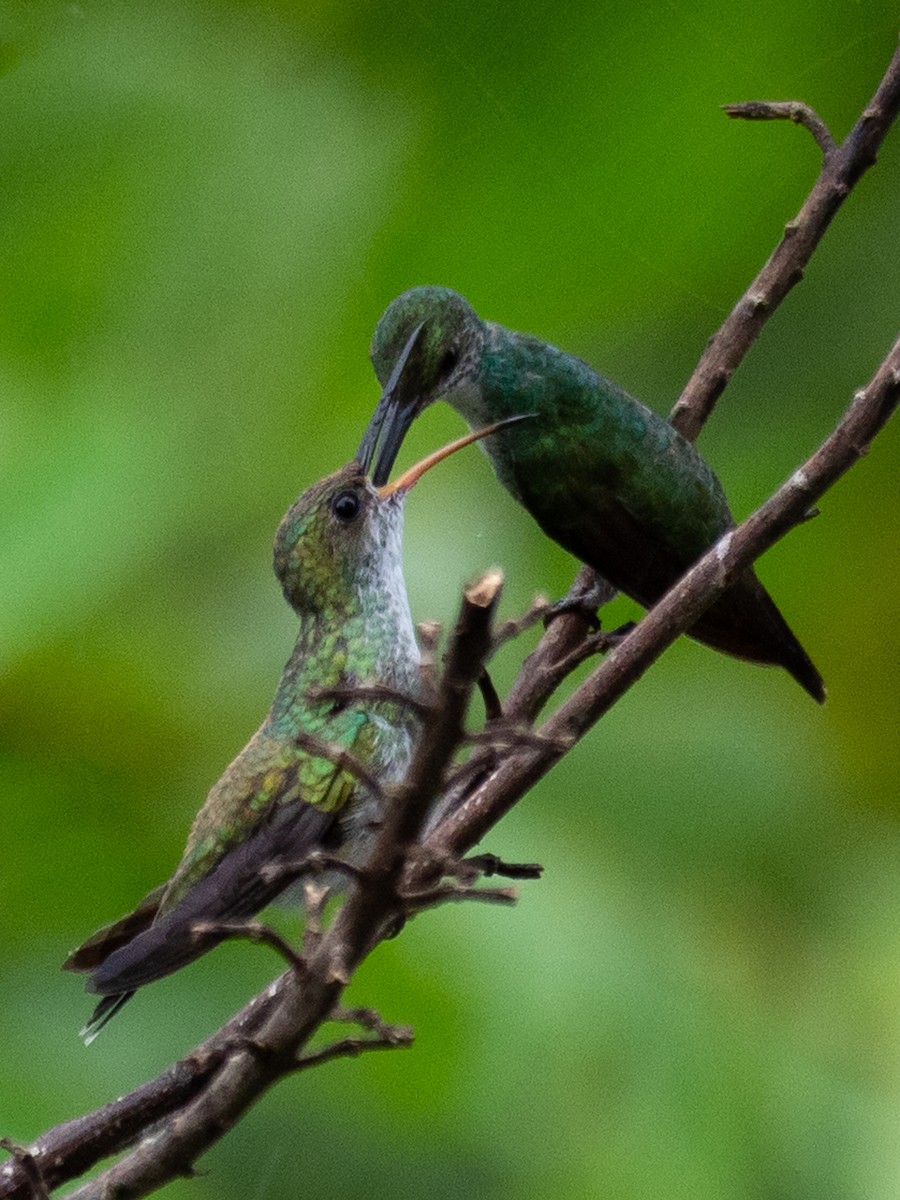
343 538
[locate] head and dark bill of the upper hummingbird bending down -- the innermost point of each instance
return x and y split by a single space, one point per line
428 345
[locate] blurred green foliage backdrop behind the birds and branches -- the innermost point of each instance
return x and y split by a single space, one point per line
206 208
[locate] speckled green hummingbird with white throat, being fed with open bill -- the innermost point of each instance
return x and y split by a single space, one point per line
338 557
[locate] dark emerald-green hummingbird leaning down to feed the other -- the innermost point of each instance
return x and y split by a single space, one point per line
603 475
